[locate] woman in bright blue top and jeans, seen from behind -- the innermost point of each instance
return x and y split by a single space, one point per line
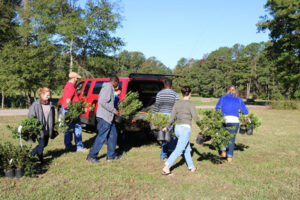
230 105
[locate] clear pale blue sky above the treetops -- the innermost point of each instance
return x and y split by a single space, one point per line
172 29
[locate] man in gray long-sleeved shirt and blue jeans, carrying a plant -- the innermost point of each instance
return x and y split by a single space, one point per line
106 125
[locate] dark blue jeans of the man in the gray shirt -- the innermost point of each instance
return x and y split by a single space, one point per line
105 129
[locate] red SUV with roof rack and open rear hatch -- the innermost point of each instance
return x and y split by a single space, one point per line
147 85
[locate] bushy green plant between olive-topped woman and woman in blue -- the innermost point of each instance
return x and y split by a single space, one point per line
212 125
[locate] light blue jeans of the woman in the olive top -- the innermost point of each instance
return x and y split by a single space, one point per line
183 134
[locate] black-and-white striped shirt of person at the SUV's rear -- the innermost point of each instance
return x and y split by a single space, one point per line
165 100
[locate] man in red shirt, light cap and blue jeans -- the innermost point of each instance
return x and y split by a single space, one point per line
70 95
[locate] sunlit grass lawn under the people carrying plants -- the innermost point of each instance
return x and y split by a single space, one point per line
266 166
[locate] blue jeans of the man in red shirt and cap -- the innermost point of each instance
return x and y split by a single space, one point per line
75 128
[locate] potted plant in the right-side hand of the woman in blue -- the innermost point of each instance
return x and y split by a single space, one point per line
250 123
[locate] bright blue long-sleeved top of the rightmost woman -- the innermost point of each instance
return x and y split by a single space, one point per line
230 105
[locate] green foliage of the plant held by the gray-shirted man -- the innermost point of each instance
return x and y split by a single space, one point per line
130 105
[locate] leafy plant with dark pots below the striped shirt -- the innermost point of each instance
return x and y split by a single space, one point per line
158 121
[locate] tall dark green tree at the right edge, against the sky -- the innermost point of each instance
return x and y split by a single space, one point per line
283 22
